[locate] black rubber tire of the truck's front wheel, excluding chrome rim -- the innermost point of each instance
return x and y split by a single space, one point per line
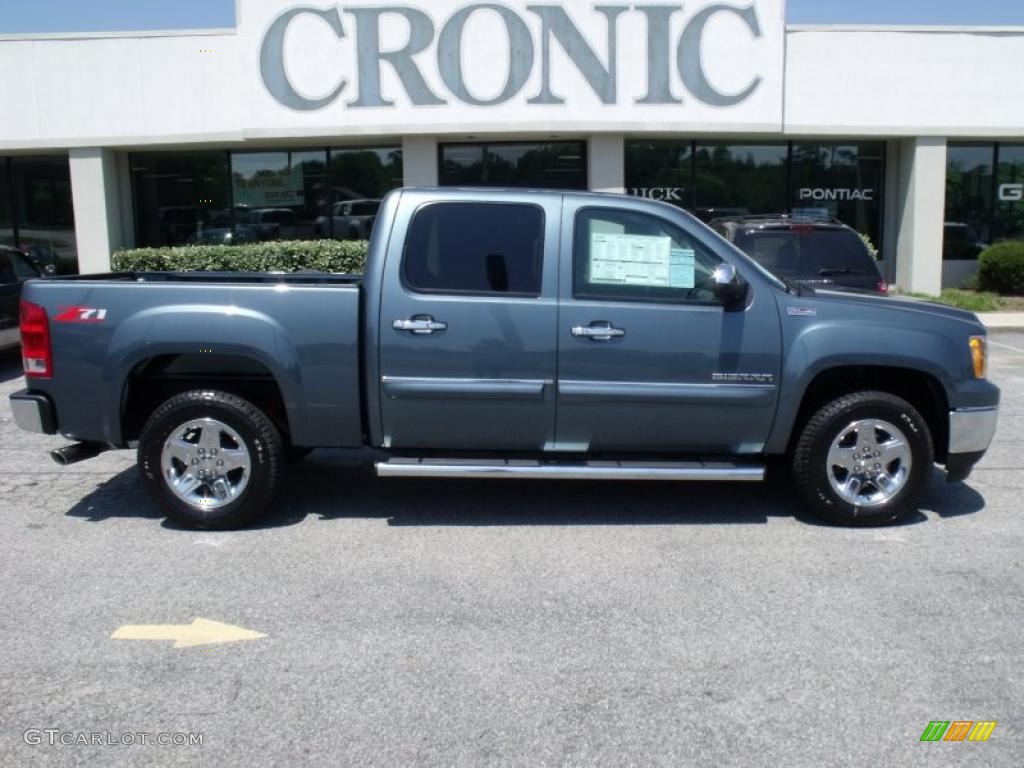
810 458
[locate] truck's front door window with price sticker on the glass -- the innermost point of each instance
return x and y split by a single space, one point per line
627 257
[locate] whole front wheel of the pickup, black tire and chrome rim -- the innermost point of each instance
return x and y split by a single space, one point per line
864 459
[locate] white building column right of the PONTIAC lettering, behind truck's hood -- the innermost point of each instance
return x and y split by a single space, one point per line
921 212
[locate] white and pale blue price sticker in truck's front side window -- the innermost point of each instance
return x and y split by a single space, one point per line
634 261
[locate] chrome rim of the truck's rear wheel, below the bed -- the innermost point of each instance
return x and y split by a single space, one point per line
206 464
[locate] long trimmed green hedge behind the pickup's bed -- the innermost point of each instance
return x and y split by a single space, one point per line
287 257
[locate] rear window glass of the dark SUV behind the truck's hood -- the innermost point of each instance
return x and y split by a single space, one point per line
808 252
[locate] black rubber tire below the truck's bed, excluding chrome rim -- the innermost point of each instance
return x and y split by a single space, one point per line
263 441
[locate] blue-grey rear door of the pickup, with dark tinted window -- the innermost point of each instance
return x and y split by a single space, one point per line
467 324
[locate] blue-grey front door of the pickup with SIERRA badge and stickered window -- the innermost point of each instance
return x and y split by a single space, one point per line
650 360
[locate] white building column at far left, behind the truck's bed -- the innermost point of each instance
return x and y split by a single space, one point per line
98 209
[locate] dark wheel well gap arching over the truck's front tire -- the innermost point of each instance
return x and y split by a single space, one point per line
922 391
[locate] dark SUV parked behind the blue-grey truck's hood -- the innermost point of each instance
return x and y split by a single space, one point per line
822 253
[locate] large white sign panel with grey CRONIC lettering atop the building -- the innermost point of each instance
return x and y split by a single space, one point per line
713 64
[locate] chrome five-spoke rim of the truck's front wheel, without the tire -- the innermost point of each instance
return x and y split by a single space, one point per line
869 463
